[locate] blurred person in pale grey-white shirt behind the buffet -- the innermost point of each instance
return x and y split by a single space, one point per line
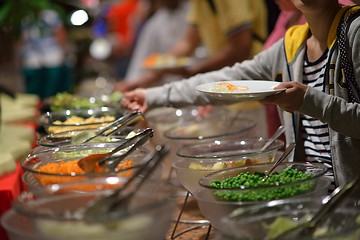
164 28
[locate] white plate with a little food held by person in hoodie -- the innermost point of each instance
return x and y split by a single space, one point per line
255 90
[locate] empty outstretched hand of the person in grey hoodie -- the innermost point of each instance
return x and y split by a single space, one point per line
135 100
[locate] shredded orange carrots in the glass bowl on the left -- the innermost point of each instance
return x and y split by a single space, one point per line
72 168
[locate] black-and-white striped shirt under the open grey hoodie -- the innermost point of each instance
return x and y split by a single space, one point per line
315 133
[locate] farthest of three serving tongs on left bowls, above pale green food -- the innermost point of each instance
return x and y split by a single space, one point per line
118 124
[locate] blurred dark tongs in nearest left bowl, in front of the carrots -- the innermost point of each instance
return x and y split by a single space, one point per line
115 205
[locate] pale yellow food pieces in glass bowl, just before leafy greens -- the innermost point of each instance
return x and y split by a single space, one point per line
78 123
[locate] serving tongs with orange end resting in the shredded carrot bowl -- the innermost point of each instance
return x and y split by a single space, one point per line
108 160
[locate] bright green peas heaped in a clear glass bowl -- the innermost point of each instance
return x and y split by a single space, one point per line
247 182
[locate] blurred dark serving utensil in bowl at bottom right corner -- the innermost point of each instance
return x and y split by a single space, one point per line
329 204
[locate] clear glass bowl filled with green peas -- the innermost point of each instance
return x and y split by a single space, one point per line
241 187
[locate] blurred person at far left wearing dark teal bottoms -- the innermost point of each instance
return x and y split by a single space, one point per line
43 54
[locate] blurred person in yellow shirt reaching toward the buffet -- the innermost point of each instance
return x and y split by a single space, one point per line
230 30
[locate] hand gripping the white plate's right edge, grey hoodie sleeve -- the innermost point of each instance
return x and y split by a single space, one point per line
289 100
